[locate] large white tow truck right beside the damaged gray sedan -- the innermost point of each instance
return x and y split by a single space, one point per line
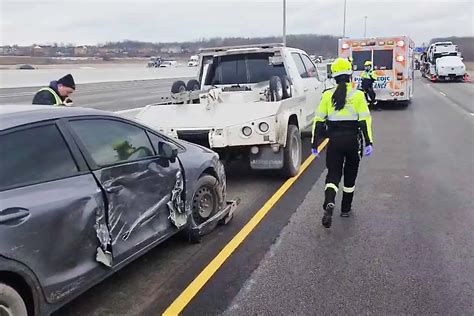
247 102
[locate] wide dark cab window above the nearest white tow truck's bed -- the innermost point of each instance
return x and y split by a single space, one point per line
242 69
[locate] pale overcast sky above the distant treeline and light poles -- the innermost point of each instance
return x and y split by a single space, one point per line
91 22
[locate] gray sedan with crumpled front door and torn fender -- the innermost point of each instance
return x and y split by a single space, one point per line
84 192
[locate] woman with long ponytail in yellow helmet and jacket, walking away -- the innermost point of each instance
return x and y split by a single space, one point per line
342 116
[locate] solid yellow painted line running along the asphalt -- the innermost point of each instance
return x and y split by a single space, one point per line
195 286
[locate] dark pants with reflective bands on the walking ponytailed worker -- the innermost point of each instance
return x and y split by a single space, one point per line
342 158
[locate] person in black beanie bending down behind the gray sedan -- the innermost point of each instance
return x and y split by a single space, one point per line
57 93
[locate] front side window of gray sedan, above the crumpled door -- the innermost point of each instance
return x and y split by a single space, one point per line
110 142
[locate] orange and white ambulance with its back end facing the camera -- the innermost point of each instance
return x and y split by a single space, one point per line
392 59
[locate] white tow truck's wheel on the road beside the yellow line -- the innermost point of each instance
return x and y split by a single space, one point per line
292 152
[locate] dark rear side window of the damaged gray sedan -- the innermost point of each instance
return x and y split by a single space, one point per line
34 155
